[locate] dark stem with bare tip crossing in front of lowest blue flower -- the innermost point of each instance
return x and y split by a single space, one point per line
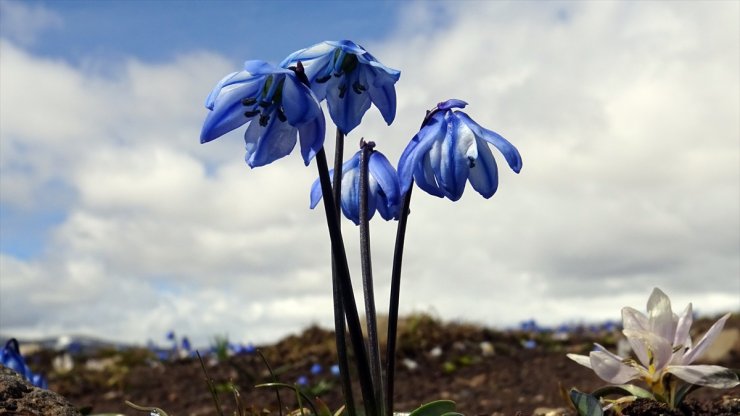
367 278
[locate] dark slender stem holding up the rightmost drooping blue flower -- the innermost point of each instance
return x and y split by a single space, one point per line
395 298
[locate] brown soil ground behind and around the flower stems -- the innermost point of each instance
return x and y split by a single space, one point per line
512 380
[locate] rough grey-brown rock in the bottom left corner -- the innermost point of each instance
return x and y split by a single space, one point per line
19 397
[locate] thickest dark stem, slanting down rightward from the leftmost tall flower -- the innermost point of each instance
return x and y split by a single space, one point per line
345 285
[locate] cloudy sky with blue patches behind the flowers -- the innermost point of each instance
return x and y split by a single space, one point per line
116 222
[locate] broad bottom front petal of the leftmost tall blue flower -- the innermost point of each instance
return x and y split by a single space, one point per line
267 144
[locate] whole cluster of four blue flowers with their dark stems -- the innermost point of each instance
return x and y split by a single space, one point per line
281 105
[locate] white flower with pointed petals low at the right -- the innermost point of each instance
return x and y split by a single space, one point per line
663 346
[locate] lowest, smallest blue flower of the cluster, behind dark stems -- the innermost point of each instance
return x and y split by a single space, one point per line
383 190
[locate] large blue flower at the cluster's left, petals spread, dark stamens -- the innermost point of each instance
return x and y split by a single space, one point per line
276 103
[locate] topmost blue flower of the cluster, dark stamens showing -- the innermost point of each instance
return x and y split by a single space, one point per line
350 78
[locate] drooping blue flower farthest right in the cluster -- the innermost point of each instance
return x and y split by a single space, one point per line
450 149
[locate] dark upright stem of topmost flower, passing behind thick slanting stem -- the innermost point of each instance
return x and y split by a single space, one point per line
339 322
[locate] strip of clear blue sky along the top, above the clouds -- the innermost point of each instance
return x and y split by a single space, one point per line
156 31
